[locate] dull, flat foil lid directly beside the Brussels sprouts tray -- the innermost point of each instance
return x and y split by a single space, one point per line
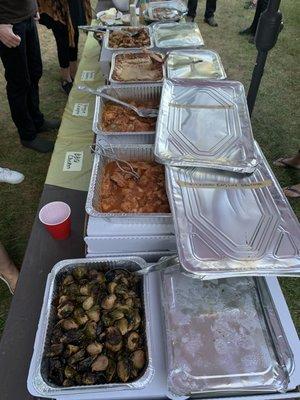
218 341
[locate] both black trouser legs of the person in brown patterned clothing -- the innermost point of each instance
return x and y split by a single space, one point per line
64 51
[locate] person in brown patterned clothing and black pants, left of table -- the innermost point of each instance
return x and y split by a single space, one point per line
63 17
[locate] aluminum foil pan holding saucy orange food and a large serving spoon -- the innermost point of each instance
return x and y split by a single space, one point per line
125 92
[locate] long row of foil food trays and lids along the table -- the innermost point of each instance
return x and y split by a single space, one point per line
205 326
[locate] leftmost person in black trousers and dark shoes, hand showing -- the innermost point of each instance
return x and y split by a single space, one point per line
21 58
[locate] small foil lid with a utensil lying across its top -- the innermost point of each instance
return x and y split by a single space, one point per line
194 64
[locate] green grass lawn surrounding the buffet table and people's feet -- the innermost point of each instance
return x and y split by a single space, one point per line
275 122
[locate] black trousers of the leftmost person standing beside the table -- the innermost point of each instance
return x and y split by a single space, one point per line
23 70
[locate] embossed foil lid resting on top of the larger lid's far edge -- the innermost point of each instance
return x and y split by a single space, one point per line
205 124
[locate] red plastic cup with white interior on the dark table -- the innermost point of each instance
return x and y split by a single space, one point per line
56 217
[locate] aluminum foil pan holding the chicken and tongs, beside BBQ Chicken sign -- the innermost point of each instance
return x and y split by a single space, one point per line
126 153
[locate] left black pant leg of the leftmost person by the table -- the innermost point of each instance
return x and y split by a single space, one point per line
18 83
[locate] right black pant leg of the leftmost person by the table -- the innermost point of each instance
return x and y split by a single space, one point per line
35 68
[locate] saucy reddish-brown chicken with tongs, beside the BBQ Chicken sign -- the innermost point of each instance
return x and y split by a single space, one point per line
122 193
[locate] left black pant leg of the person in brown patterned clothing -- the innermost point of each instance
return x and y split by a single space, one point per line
61 35
